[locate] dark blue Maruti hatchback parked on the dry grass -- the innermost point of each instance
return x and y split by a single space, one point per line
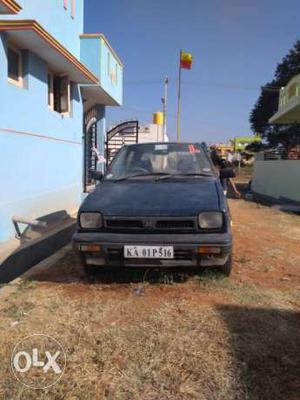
157 205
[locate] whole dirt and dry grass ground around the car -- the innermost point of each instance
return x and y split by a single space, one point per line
164 335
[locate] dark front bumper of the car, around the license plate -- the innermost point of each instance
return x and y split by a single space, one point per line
186 249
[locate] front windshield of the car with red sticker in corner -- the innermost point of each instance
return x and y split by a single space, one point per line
170 159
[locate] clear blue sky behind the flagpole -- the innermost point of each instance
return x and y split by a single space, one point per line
236 45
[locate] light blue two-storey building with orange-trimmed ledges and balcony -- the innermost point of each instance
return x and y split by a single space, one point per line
55 84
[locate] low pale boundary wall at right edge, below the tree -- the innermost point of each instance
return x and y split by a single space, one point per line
279 179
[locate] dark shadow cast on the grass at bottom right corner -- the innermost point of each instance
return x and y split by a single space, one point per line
266 346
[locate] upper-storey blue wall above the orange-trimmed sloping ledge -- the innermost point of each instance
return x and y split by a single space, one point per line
56 19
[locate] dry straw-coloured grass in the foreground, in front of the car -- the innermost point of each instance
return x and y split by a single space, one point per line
185 343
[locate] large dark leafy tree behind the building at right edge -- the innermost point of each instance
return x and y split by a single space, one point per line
267 103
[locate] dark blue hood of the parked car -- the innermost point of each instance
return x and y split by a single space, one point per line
150 198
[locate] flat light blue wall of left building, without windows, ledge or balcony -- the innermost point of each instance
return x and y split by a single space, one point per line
41 150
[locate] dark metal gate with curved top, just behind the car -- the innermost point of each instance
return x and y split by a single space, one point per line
125 133
